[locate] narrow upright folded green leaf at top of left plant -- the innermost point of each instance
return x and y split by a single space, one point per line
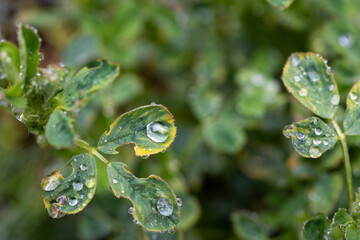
29 45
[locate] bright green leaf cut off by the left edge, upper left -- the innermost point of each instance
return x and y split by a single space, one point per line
10 63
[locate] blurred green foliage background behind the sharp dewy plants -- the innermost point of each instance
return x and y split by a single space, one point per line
216 65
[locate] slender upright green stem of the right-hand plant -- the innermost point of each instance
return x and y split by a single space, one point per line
342 139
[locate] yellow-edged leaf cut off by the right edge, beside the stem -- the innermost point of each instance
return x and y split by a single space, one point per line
352 113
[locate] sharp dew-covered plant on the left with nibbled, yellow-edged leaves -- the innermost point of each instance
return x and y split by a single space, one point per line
47 101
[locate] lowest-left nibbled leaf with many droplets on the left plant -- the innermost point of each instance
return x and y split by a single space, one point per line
70 194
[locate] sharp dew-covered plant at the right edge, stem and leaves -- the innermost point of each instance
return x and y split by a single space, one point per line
308 77
